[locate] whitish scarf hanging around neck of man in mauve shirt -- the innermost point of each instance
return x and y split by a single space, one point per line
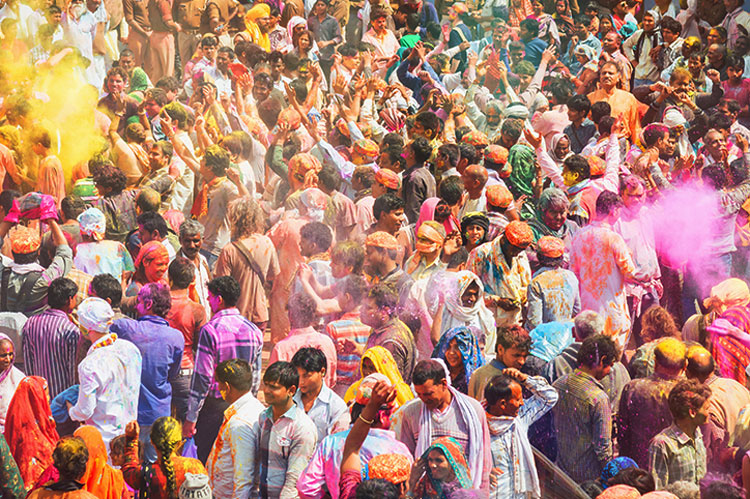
475 459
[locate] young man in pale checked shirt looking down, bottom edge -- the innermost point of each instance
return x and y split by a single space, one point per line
283 438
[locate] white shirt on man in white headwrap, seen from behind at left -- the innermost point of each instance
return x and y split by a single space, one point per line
110 379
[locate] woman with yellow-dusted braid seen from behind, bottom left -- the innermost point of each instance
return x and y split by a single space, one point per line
161 480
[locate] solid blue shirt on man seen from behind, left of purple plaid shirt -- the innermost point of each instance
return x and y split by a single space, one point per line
161 349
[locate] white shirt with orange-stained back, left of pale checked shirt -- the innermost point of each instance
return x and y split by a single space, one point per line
228 465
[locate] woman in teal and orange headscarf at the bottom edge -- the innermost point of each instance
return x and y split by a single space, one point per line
440 471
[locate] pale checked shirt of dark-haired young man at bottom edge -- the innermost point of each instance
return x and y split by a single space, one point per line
282 450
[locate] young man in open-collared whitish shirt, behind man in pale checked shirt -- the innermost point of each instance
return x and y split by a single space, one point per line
327 410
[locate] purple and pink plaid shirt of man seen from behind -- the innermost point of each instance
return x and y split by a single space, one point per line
228 335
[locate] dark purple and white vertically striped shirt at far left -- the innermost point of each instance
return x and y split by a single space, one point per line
49 349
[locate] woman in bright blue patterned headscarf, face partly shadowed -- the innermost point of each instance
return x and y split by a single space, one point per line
460 350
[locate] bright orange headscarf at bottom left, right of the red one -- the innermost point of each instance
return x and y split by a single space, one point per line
100 478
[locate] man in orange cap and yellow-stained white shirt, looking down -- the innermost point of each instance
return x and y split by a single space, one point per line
503 267
